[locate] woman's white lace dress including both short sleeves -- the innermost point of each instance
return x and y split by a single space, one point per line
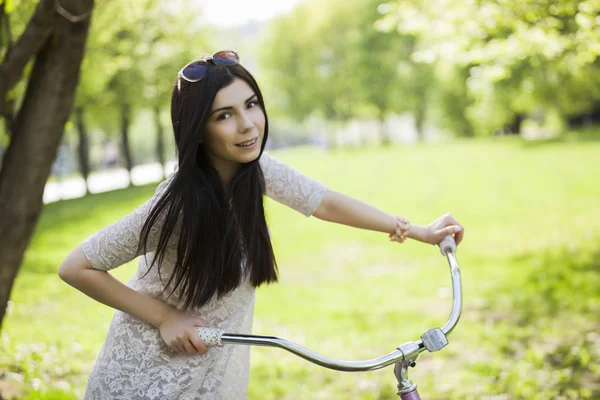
134 362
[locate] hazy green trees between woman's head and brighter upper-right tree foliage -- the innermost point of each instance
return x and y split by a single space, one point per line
340 66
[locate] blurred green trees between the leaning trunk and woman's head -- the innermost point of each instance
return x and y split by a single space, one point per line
132 62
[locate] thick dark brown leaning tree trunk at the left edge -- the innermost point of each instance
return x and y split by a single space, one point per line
39 126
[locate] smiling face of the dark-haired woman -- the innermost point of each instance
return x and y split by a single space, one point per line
236 120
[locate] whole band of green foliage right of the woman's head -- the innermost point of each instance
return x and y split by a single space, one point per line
472 68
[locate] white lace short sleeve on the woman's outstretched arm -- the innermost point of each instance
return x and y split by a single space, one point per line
290 187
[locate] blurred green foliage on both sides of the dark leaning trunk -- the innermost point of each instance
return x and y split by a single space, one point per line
133 53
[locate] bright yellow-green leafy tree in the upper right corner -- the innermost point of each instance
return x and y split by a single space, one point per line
520 56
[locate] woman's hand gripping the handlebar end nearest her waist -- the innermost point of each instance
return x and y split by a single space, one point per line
178 331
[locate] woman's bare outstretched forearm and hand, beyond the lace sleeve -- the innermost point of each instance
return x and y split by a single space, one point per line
339 208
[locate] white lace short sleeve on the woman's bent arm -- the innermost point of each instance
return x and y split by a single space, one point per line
116 244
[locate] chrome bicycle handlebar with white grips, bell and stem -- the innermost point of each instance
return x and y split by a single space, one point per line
403 357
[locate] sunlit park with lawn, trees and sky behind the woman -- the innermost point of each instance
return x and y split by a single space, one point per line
489 110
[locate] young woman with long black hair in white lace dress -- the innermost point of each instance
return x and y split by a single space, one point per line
205 245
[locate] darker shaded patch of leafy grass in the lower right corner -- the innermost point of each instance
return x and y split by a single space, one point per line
547 343
